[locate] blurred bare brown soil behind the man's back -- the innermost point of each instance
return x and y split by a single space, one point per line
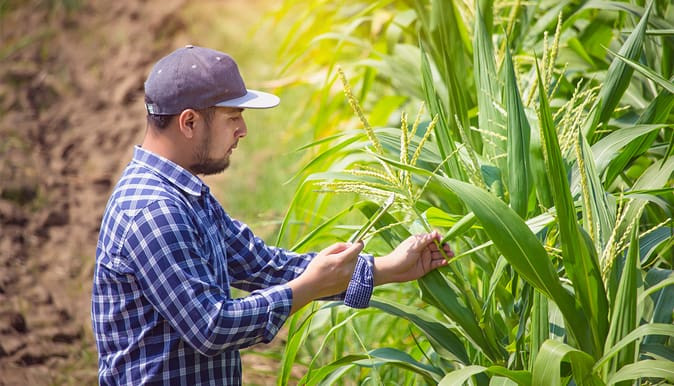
70 110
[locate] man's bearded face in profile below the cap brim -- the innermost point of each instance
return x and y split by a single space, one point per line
220 136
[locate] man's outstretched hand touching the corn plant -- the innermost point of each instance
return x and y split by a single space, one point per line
412 259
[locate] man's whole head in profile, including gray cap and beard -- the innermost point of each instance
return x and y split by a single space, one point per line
194 99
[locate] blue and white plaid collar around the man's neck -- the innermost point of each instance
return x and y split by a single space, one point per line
173 172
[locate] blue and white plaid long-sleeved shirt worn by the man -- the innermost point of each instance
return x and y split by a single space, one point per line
167 254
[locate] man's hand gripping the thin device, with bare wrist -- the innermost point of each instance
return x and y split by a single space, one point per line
328 274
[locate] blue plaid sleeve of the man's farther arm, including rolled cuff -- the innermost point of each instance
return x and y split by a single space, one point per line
254 265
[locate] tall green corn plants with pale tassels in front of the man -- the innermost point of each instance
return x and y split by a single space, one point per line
546 160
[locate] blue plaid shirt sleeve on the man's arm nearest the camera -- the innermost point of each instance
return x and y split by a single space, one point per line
163 248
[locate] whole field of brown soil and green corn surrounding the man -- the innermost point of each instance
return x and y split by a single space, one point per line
536 136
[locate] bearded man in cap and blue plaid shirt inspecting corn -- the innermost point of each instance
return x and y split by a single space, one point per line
168 253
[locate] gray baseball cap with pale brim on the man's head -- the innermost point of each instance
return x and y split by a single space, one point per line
196 78
